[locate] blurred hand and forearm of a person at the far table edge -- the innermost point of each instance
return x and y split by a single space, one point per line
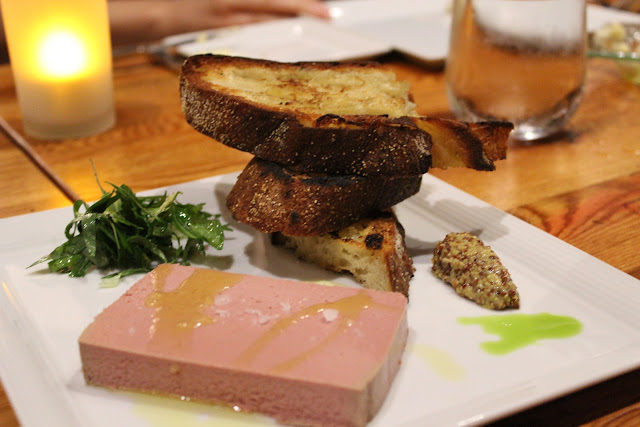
134 21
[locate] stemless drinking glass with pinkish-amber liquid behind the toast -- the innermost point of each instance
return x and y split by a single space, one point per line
521 61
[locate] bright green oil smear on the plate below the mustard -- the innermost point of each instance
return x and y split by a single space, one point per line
520 330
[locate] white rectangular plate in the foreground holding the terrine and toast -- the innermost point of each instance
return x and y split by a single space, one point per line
42 315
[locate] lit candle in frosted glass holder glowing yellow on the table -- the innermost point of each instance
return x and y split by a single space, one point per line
60 53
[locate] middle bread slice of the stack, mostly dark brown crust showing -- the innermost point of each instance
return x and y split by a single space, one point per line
272 198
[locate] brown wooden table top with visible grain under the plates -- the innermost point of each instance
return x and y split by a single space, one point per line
583 186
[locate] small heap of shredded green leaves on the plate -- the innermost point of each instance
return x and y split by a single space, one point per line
132 234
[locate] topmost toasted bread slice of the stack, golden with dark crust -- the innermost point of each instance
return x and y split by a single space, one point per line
334 118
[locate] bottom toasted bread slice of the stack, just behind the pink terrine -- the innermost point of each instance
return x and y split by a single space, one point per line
373 250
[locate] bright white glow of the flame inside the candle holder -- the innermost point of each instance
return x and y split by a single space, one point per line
62 54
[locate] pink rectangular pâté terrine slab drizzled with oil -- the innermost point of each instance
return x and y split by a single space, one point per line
303 353
